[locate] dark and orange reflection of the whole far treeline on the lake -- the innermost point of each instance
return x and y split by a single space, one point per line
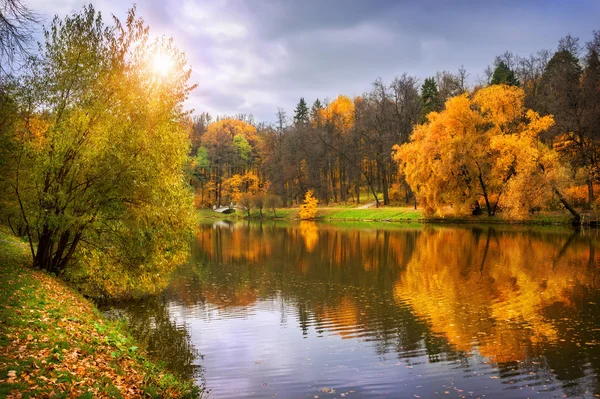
523 298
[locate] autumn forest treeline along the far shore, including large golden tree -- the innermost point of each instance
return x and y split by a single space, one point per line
344 149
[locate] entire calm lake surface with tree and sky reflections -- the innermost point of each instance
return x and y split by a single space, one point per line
366 311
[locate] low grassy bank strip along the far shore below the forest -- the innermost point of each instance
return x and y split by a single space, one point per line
387 215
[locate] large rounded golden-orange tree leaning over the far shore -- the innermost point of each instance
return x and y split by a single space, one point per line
483 148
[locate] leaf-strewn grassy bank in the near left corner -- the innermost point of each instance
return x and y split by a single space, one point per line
55 343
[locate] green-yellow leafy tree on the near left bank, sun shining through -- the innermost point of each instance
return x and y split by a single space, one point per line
97 170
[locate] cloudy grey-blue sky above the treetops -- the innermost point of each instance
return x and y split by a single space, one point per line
252 56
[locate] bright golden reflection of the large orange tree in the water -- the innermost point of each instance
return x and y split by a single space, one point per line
488 290
